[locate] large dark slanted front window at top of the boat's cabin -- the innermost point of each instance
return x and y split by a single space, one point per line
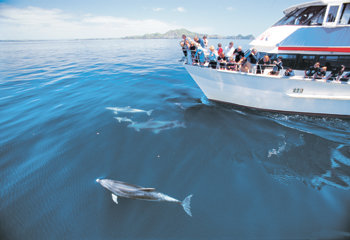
305 16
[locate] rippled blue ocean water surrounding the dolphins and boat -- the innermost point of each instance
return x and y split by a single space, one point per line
66 120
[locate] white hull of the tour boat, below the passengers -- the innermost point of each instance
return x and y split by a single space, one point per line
273 93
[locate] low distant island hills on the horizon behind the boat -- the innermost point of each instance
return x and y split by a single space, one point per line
177 34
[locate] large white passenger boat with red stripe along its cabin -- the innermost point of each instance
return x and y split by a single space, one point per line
312 32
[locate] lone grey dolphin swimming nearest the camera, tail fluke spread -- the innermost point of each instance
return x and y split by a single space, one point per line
126 190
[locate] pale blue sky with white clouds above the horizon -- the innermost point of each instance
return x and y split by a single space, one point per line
72 19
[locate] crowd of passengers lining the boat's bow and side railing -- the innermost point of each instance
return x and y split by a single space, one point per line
197 52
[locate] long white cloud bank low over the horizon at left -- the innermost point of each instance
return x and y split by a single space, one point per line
39 23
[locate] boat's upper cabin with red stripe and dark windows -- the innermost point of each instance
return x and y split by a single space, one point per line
308 33
